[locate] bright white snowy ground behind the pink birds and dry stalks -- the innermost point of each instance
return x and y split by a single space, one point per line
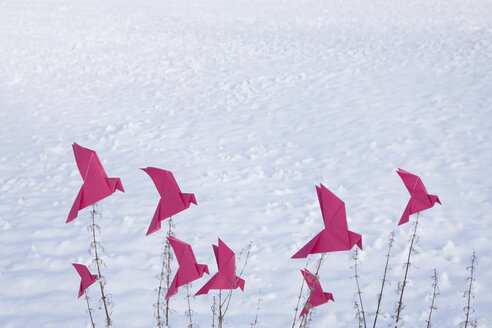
250 103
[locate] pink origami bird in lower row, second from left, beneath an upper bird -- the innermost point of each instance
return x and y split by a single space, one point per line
188 270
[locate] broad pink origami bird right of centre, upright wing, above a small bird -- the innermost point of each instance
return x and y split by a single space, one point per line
335 236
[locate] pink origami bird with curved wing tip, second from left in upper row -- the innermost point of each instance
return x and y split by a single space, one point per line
172 200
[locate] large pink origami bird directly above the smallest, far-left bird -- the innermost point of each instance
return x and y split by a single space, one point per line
96 184
